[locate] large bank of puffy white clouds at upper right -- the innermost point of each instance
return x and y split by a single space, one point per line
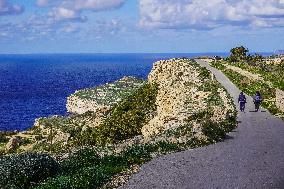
208 14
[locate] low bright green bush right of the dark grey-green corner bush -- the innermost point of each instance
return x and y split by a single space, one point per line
85 169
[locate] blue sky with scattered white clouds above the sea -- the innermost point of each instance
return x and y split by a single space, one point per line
140 26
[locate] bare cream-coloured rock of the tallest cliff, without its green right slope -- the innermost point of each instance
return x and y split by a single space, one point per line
172 76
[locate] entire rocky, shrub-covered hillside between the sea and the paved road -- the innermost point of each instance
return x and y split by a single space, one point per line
181 106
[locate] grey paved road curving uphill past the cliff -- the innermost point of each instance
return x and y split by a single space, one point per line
251 157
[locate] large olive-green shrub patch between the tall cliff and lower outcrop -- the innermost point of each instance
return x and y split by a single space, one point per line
128 117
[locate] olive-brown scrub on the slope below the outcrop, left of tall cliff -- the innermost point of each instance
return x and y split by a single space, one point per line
125 121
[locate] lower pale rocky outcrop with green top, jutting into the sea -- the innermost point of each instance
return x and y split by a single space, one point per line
101 99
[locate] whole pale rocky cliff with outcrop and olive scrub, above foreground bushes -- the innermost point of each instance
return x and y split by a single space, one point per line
180 102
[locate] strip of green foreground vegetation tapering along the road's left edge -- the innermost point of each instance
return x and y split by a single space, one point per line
85 169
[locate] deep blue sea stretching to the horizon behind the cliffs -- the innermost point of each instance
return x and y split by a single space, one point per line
37 85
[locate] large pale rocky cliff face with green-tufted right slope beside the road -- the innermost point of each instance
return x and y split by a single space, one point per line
185 90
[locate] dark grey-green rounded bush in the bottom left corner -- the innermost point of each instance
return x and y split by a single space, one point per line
25 170
